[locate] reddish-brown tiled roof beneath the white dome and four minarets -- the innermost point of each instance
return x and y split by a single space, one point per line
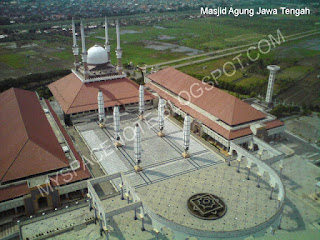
75 96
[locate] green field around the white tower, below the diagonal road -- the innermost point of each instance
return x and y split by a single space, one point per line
297 71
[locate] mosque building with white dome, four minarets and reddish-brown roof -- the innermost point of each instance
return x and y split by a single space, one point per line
77 92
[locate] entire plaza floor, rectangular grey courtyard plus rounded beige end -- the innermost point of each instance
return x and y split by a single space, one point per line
168 180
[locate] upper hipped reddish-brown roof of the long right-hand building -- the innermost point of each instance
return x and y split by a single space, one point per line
220 104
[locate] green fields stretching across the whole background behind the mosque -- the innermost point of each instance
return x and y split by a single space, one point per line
174 39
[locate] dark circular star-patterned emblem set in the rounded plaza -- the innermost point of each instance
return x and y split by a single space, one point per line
206 206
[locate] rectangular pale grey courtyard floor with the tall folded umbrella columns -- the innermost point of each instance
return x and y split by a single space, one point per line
161 157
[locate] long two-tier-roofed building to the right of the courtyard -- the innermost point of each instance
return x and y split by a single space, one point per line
221 116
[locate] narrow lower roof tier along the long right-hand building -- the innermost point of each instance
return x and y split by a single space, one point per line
208 122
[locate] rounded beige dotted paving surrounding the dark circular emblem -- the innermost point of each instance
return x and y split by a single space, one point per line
247 205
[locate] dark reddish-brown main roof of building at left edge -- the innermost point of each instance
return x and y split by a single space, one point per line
28 143
